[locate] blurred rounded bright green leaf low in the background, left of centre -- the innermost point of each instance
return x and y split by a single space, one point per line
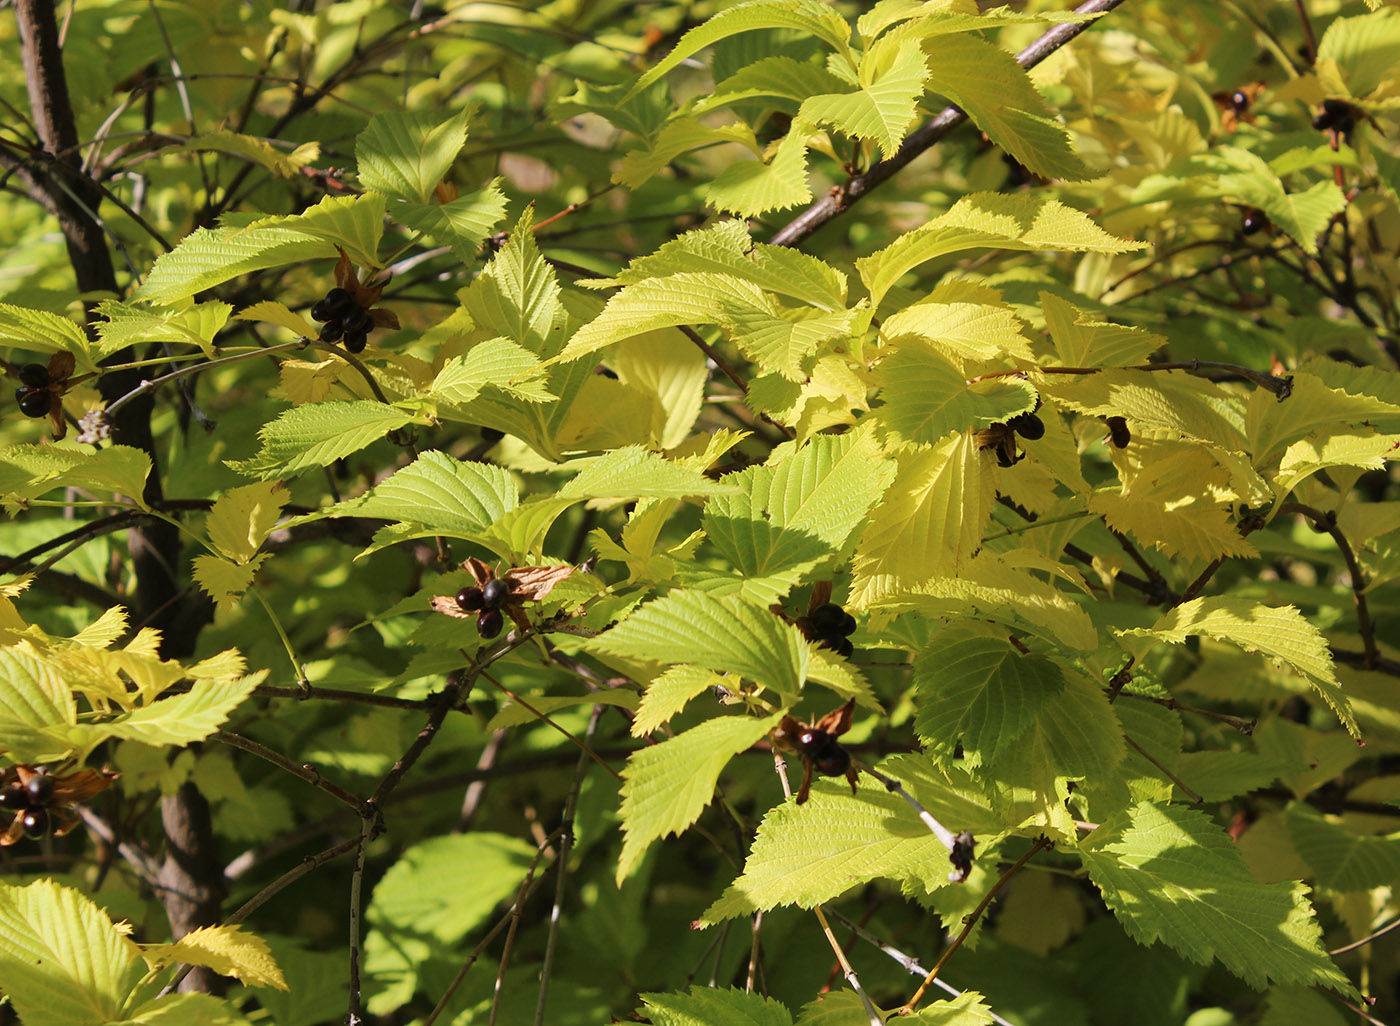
412 901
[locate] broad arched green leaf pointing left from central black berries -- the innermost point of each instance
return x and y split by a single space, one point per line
727 635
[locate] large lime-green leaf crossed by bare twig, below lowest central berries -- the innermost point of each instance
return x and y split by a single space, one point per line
817 852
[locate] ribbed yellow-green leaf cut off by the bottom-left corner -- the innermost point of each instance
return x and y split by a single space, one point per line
62 962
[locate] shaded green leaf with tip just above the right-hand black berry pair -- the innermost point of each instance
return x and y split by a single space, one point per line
926 397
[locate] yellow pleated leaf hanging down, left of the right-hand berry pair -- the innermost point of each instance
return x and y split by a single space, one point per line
930 521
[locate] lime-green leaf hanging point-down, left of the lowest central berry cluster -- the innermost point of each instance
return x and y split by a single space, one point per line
667 786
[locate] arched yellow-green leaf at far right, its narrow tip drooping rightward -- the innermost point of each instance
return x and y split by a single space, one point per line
1280 633
